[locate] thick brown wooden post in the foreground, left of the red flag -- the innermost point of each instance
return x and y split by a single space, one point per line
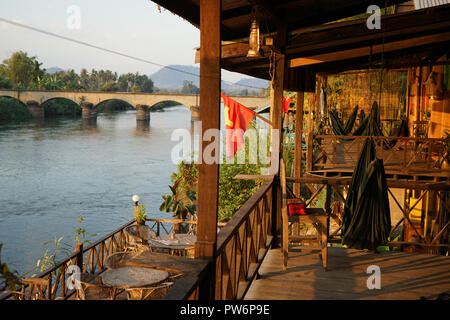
210 51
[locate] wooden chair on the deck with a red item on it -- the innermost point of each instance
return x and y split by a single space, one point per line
316 216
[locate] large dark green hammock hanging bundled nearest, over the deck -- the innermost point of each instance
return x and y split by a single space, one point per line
366 220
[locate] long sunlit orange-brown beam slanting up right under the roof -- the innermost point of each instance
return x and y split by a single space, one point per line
365 51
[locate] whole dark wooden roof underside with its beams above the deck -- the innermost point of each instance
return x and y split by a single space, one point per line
314 45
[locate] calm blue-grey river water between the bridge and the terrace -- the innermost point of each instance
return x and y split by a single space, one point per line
54 170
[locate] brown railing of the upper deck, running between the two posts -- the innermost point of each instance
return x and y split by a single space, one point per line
241 247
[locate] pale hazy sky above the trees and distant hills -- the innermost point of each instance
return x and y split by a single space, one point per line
136 28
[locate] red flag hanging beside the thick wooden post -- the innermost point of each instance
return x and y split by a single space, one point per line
237 118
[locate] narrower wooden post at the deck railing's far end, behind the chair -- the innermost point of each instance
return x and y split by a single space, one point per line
276 110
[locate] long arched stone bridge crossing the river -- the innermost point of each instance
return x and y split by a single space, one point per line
88 101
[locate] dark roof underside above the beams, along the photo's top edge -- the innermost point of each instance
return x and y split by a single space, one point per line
237 15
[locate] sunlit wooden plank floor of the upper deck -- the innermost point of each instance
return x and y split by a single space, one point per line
403 276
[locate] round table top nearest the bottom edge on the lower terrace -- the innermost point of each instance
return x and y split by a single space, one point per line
133 277
